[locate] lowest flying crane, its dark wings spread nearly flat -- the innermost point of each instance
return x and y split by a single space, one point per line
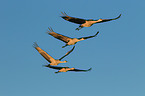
65 69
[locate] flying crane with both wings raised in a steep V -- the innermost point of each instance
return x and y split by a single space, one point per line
50 59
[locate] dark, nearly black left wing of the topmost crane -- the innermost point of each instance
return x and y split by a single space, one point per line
72 19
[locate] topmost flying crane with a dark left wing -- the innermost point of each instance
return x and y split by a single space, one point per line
85 22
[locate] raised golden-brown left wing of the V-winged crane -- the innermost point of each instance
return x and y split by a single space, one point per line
43 53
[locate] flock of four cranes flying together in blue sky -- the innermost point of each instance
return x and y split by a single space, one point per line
68 41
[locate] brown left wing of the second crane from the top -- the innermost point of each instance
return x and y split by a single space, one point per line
59 36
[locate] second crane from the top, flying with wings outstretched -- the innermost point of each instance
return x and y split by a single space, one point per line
68 40
